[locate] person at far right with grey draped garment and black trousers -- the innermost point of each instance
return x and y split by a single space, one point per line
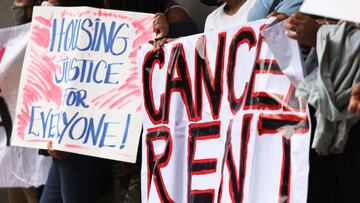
334 176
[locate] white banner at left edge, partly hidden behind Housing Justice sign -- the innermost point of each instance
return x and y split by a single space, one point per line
19 167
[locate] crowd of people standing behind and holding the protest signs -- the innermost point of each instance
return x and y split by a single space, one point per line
333 178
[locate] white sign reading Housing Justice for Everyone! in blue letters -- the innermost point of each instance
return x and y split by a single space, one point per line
79 83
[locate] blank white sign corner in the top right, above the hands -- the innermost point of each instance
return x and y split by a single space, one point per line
343 10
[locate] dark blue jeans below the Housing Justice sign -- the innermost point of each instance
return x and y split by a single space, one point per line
77 178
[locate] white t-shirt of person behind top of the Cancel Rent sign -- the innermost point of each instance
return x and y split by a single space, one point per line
218 20
